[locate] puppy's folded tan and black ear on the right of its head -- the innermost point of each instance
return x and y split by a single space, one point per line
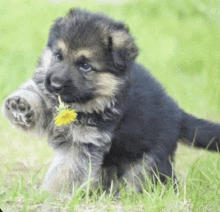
122 47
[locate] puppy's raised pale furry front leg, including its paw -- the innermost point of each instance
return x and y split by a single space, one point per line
26 109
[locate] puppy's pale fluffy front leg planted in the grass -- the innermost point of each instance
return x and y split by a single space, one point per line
72 166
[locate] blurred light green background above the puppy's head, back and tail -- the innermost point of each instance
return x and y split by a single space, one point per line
178 40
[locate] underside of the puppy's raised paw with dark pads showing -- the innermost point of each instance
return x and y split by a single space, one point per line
20 112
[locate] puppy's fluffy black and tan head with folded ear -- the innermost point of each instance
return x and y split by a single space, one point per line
87 57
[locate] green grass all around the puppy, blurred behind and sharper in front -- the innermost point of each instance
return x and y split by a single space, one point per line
179 42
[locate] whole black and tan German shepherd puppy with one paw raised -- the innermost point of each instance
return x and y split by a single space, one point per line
126 125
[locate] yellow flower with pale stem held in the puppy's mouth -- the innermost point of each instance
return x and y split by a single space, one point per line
65 116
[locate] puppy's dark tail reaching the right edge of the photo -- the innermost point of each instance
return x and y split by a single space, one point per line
200 133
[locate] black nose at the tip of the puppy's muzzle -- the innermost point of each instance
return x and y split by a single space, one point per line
54 84
